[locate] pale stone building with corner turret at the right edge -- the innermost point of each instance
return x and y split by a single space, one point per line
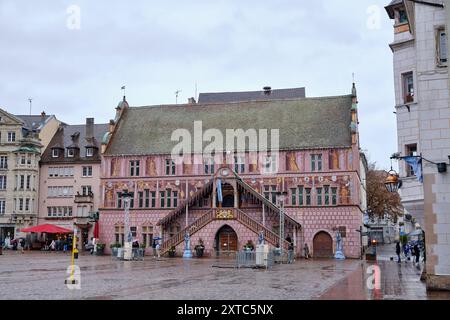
421 60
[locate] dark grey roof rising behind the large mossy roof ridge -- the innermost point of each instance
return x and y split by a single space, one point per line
221 97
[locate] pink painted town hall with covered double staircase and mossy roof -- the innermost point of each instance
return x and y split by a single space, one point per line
318 165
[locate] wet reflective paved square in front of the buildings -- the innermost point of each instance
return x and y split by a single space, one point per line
37 275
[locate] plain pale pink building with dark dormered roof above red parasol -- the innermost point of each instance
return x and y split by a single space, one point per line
69 192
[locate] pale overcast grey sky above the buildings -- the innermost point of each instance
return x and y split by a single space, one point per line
75 68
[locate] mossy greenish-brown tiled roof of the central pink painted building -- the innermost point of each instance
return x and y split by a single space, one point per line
303 123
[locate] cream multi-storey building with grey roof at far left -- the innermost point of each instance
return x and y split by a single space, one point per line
21 140
